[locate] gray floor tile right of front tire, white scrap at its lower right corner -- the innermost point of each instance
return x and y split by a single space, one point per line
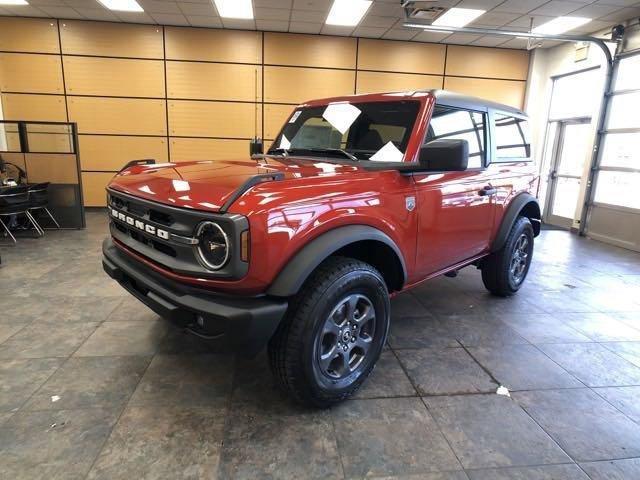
439 371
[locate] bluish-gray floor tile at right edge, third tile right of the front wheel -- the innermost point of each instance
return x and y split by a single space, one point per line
593 365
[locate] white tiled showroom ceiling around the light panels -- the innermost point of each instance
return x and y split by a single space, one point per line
383 20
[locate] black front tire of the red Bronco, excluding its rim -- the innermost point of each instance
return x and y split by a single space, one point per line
292 349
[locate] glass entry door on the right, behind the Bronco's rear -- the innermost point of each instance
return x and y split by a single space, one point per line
566 165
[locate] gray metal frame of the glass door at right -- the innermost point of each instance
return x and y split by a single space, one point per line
552 173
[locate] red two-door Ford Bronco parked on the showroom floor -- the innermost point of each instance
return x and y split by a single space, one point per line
358 198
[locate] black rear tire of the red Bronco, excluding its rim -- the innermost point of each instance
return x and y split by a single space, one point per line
496 268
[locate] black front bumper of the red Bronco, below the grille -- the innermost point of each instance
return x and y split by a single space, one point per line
245 324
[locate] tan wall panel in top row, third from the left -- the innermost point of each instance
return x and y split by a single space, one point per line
213 45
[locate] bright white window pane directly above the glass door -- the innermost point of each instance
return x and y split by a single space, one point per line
576 95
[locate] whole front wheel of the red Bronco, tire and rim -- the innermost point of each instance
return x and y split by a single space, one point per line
333 333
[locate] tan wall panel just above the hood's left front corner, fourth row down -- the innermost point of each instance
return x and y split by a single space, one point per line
111 153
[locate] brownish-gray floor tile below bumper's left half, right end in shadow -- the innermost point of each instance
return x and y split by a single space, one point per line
125 338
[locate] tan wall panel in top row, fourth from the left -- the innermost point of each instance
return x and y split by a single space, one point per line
309 50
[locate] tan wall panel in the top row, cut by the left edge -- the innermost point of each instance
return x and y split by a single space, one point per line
28 35
